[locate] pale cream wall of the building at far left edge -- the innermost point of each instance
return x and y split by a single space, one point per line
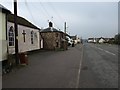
3 42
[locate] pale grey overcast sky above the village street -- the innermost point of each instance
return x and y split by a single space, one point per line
85 19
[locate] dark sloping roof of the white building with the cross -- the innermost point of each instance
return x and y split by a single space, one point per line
21 21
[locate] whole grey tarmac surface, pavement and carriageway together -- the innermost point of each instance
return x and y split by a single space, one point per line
82 66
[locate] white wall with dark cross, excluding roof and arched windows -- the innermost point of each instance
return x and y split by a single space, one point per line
25 46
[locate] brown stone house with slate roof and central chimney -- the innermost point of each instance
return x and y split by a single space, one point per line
53 39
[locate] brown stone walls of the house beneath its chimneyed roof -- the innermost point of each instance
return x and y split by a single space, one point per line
52 40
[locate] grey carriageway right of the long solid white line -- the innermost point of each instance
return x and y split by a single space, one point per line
99 66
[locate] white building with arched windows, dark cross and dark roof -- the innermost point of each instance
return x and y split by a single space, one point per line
28 35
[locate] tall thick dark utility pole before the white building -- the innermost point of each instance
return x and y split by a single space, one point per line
16 32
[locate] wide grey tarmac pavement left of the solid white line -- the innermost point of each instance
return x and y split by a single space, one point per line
47 69
